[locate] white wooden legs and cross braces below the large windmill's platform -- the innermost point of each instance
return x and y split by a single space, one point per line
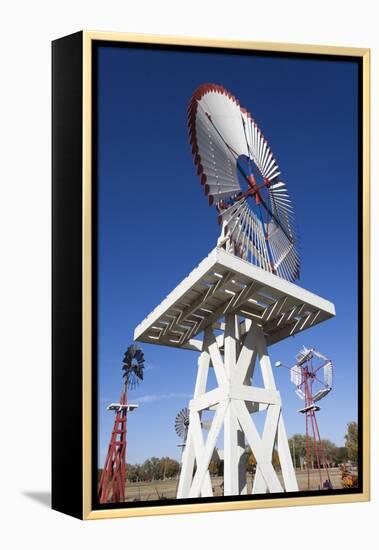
233 401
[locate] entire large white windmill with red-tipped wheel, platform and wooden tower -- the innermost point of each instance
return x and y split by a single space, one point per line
237 302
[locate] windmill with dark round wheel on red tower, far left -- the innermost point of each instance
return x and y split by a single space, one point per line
113 479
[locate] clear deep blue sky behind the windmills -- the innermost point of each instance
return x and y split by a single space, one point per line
155 224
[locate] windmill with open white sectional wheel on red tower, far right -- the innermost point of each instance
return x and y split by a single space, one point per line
312 376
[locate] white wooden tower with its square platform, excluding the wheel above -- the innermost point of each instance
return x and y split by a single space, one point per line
240 309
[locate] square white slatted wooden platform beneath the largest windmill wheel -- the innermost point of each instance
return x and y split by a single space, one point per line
223 283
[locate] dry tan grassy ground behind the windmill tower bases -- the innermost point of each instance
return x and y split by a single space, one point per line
158 490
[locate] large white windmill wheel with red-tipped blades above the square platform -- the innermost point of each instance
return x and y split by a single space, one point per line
242 179
